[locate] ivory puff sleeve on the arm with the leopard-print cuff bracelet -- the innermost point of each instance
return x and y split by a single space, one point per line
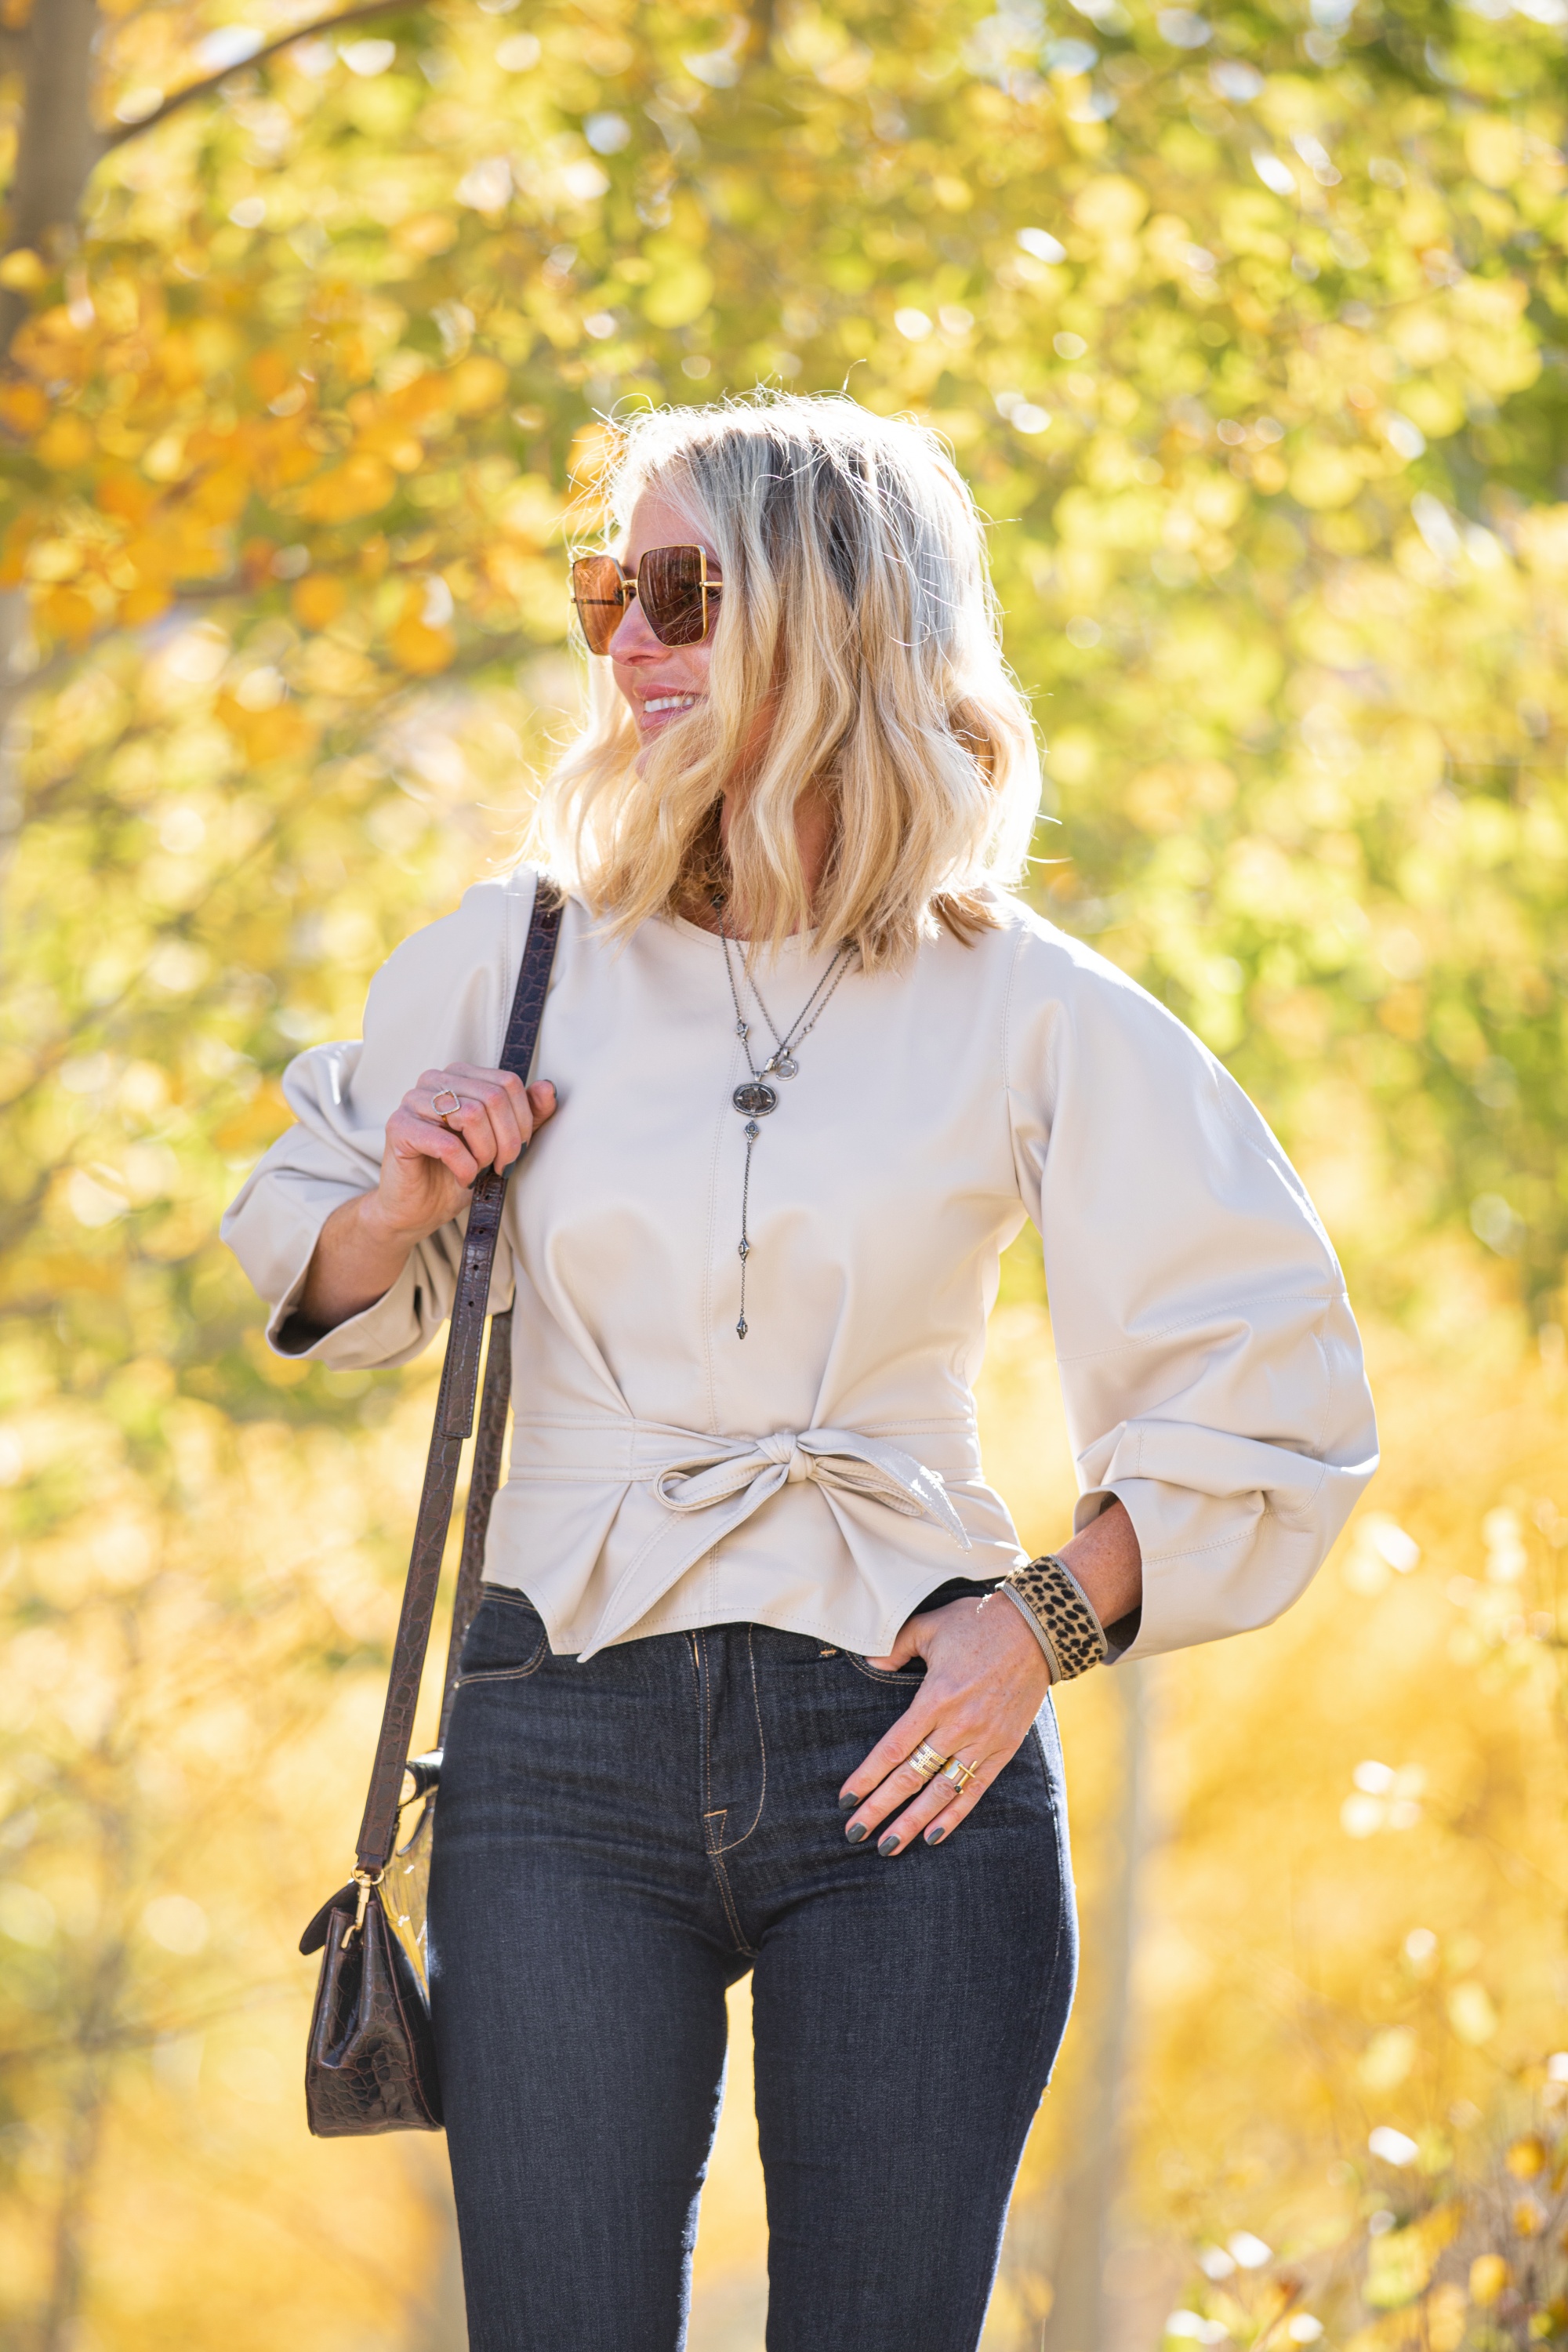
1212 1368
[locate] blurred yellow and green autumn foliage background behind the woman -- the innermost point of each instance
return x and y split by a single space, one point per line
1249 330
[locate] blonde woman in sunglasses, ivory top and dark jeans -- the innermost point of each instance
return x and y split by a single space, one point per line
760 1673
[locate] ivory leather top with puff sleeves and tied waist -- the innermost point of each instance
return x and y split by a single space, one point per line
824 1474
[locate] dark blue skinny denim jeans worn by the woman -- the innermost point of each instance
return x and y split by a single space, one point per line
617 1845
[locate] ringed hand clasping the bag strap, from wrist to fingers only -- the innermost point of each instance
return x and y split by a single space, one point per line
434 1156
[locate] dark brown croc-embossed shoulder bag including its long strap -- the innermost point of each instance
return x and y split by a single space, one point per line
373 2062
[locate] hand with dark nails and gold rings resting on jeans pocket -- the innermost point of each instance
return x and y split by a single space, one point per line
986 1681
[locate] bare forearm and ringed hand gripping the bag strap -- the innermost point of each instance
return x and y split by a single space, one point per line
427 1172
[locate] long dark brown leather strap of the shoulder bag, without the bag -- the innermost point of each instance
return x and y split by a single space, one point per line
455 1419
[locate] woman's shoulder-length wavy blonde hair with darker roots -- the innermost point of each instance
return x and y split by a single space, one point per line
859 608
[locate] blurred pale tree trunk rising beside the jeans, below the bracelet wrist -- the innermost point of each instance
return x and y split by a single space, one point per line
1078 2308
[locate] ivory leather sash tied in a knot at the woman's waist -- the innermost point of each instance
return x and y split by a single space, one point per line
713 1485
